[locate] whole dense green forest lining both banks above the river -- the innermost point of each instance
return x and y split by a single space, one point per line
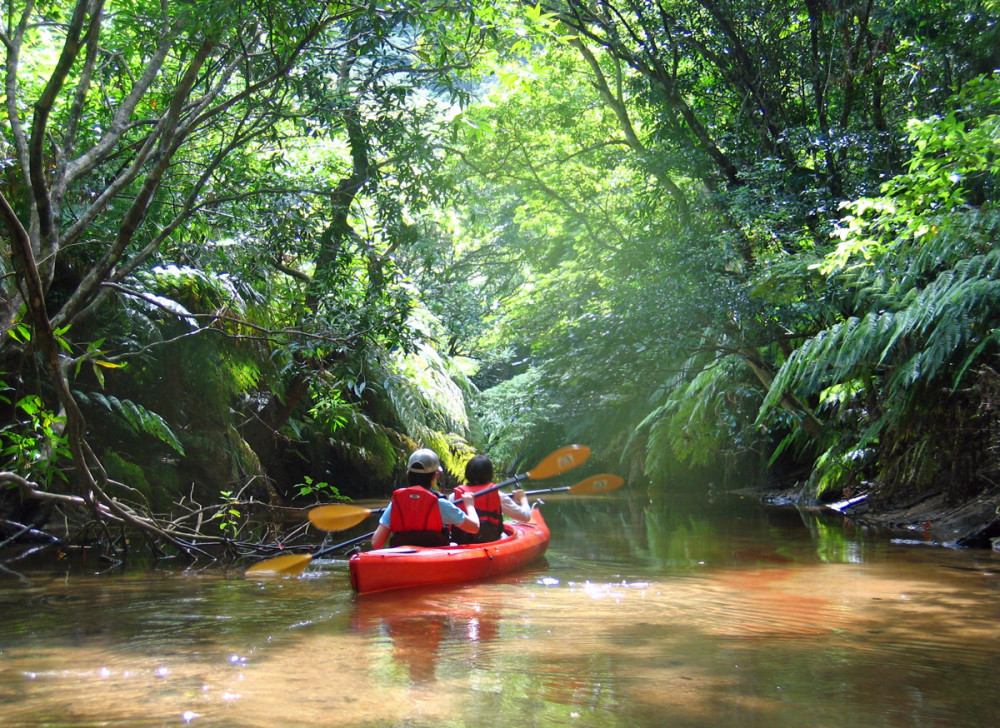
256 251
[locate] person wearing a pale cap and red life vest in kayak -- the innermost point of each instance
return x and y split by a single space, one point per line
418 515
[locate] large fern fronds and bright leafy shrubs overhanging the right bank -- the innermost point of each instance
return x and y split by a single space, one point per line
907 372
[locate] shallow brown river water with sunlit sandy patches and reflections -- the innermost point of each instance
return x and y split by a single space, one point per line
645 612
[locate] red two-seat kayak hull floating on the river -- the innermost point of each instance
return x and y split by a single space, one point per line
408 566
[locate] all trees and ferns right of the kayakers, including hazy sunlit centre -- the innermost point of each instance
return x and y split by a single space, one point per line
752 230
